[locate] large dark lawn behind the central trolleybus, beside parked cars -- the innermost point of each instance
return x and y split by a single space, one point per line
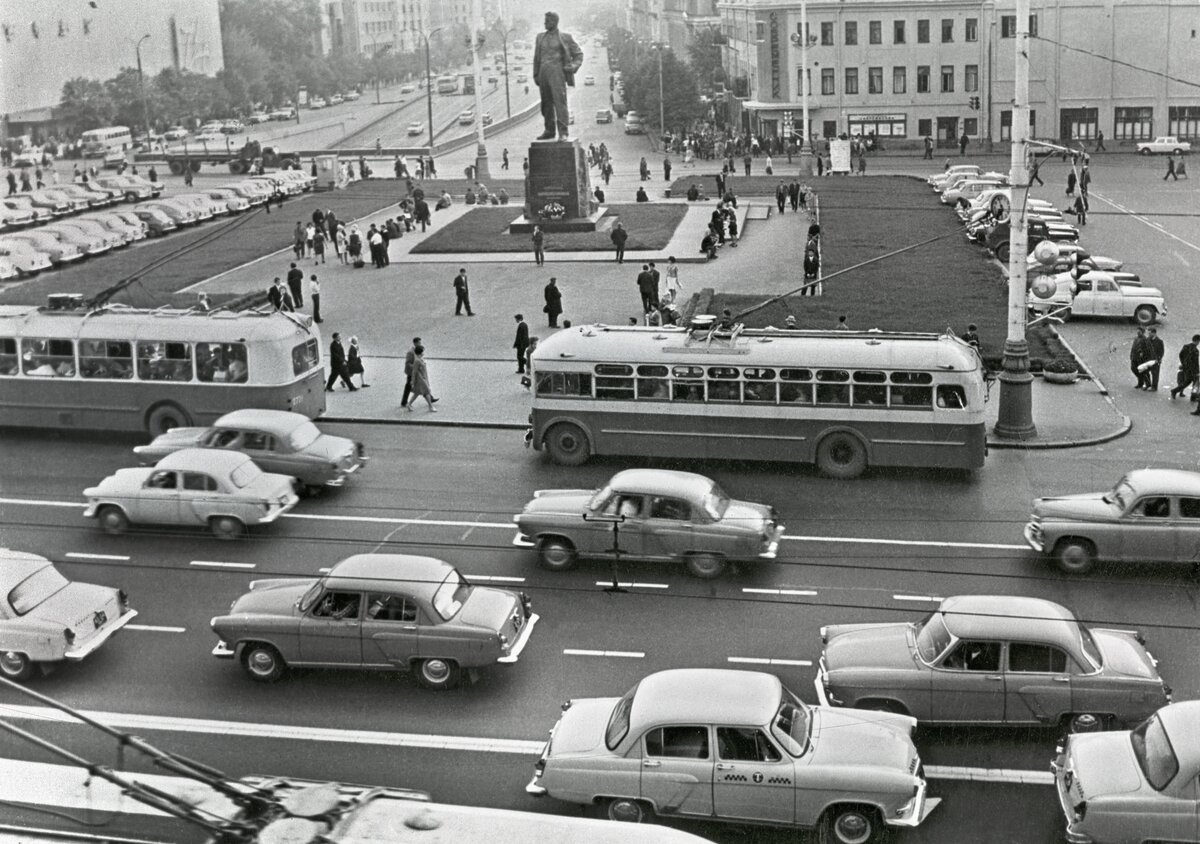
945 284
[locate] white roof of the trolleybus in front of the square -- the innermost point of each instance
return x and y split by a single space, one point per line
758 348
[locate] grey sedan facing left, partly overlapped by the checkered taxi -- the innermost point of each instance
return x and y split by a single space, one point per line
993 660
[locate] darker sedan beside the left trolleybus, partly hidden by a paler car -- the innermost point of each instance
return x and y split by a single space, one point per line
279 441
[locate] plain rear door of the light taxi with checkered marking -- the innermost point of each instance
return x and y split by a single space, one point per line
677 769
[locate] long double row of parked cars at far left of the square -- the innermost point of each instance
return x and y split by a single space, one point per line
63 224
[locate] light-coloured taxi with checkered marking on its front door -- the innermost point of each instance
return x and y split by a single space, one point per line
736 747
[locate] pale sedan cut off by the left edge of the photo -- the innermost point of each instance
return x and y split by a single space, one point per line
46 619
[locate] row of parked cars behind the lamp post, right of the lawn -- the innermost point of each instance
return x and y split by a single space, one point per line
1066 280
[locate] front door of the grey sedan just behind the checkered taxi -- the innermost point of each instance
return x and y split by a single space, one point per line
969 684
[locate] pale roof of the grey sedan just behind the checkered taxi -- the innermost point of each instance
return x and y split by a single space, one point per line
1010 618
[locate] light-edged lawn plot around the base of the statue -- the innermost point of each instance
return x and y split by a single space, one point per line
487 230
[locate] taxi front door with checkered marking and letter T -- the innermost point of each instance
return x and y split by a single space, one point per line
754 780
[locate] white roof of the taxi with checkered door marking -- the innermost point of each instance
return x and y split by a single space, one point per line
705 696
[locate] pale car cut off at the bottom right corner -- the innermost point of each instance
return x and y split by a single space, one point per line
1133 787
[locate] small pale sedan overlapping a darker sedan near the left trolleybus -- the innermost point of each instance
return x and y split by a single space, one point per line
223 490
